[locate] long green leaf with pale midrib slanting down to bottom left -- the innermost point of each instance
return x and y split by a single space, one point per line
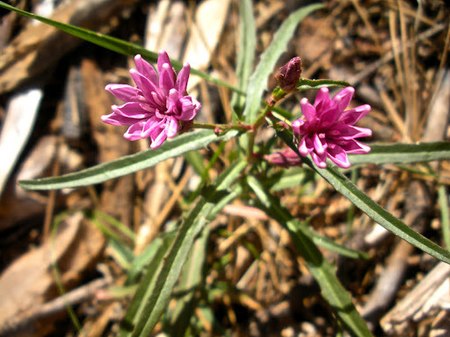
167 273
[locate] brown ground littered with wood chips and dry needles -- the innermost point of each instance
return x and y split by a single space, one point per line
62 260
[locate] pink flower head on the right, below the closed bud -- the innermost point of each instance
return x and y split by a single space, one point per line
326 129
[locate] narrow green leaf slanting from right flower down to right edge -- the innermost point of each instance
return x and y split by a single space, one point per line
344 186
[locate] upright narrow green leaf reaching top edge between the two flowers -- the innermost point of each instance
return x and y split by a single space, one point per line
246 52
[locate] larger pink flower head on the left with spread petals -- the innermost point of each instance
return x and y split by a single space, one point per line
158 107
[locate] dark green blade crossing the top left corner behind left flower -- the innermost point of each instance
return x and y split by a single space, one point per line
111 43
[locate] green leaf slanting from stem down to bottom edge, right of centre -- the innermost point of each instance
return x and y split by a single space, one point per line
332 290
